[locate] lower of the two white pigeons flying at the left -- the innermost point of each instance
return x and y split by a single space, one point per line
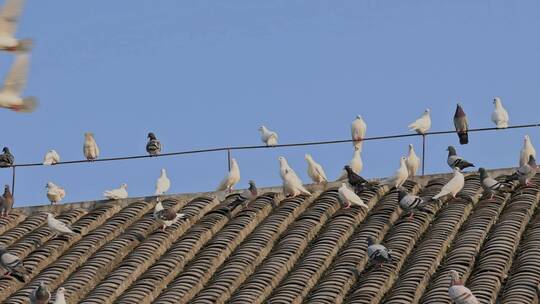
14 83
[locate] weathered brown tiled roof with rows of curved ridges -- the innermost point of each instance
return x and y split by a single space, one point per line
283 250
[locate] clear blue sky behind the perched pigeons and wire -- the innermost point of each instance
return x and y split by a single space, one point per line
207 73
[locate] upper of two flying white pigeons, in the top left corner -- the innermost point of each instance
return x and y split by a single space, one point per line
9 17
